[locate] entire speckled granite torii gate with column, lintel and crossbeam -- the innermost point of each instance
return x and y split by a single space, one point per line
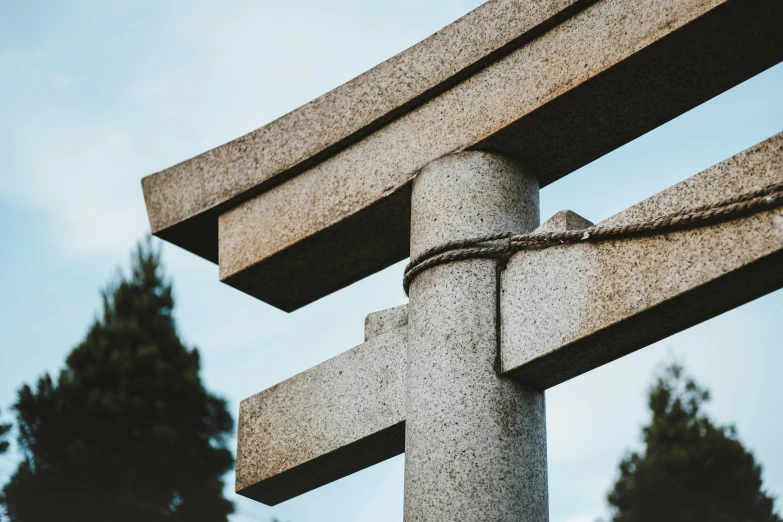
451 140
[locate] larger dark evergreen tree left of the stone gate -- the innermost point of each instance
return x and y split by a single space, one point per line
127 432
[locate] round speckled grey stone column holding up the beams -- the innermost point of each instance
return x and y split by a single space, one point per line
475 442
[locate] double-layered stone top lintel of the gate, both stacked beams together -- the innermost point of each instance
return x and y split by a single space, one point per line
302 211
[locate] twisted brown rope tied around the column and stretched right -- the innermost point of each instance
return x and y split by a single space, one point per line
504 244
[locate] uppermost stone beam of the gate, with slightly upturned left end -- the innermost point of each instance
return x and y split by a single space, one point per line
293 143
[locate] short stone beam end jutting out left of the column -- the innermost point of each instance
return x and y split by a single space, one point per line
335 419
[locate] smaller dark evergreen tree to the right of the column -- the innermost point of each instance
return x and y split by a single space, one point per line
691 469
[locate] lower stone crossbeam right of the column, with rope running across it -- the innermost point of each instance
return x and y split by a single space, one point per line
569 309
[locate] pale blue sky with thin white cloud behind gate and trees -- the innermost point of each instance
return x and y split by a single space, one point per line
96 94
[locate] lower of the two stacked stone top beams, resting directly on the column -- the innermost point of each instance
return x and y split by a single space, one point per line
612 71
